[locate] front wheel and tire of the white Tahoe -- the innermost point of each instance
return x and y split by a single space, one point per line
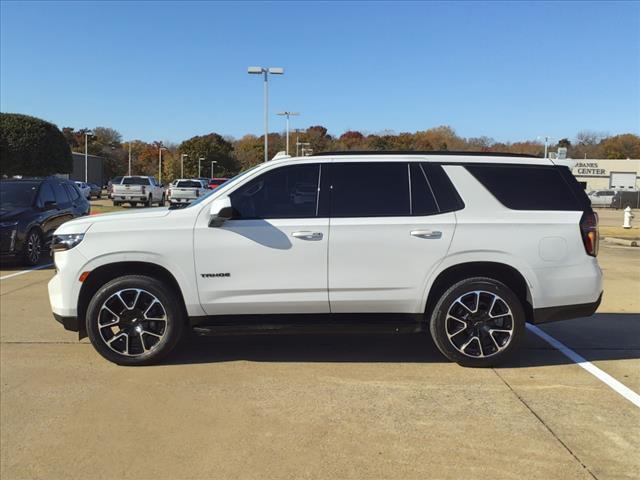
134 320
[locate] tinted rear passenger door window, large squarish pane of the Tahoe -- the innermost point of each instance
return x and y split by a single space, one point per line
374 189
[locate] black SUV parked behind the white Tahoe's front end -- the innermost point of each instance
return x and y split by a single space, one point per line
31 210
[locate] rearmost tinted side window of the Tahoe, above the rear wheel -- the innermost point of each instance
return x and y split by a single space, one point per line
527 188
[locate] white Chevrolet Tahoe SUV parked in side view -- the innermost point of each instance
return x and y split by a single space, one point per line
469 247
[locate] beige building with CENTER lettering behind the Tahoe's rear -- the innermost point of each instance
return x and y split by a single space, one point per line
604 174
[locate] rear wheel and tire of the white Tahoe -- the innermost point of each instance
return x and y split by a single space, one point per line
478 322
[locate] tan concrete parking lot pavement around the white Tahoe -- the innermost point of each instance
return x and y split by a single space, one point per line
320 406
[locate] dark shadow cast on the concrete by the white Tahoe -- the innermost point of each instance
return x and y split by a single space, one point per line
602 337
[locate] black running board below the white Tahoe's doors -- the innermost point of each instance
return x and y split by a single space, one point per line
357 323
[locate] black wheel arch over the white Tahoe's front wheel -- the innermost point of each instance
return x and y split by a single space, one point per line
105 273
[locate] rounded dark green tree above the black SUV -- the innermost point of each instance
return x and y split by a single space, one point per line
31 146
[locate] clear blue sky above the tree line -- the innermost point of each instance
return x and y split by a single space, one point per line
171 70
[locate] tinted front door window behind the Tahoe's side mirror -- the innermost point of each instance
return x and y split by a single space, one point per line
287 192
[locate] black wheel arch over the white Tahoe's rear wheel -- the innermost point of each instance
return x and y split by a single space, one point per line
502 272
